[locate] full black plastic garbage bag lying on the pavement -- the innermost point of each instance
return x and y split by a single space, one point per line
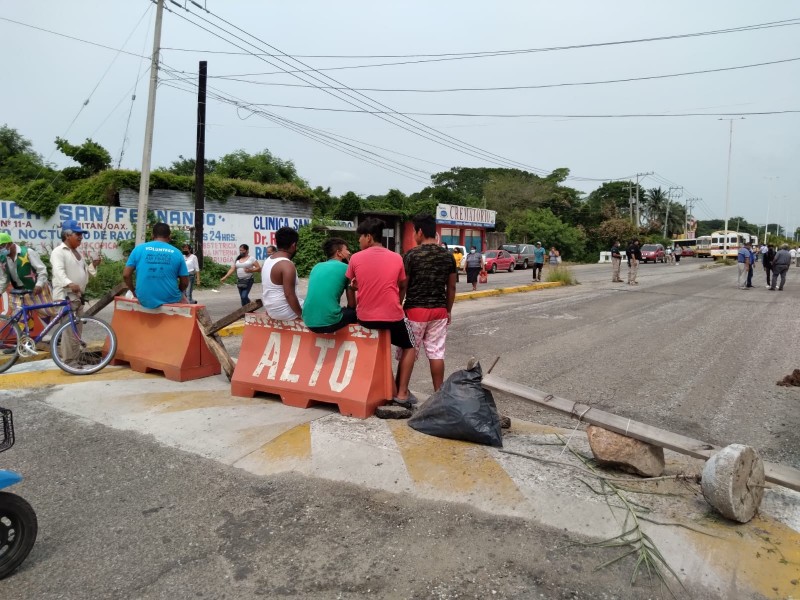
461 410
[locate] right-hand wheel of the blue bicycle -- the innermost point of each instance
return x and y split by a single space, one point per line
86 353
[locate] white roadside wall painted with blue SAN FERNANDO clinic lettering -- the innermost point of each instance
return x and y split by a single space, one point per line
107 226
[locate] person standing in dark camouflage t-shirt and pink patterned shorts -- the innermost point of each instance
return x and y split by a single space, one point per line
431 290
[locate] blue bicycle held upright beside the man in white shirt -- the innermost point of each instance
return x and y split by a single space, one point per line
80 346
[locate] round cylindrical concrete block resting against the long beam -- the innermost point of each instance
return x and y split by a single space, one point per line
733 482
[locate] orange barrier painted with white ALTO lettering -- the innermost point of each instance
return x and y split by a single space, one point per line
351 368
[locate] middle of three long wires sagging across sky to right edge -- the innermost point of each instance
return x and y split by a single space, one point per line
511 87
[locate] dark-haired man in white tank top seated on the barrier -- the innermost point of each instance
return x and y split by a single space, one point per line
279 278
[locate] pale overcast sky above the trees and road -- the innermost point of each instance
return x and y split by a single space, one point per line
47 78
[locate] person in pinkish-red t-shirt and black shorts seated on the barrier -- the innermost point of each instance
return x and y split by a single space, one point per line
380 282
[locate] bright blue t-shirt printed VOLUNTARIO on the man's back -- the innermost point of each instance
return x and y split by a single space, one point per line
158 266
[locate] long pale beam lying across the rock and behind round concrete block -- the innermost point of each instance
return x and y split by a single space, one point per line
780 474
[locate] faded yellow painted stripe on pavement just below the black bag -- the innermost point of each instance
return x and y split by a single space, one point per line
453 466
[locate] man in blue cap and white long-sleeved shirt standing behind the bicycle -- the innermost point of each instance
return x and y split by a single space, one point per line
71 273
